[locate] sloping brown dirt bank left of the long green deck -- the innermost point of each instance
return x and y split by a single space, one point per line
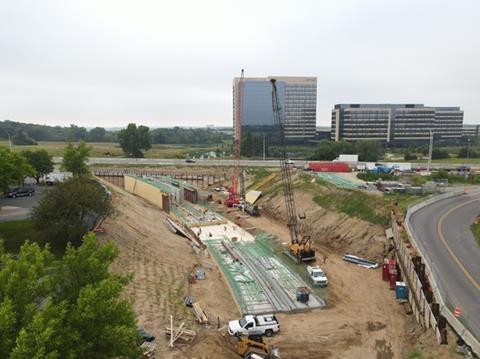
159 262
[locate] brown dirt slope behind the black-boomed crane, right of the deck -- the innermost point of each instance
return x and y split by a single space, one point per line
336 231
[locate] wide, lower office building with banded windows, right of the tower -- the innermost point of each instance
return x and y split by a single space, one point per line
396 123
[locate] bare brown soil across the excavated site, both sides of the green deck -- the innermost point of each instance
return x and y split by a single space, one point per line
362 320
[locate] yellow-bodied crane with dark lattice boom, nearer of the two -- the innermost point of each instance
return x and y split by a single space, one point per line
300 248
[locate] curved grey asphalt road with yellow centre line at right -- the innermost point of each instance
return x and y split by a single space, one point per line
442 230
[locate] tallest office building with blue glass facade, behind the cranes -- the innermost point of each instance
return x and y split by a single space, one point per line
298 100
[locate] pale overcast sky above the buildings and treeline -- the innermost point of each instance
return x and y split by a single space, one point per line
171 63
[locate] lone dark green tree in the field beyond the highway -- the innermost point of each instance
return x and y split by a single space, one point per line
133 140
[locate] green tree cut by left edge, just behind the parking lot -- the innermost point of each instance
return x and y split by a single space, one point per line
14 168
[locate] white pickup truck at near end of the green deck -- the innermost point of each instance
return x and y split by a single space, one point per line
254 325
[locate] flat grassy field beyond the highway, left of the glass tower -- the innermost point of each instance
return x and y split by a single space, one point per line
107 149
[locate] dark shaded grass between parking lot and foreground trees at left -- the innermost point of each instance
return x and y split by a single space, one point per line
15 233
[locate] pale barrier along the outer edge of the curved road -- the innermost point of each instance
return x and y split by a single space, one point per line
458 326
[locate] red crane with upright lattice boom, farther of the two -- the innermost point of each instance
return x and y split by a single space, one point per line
234 197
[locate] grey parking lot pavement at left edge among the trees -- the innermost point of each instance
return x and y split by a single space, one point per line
14 209
